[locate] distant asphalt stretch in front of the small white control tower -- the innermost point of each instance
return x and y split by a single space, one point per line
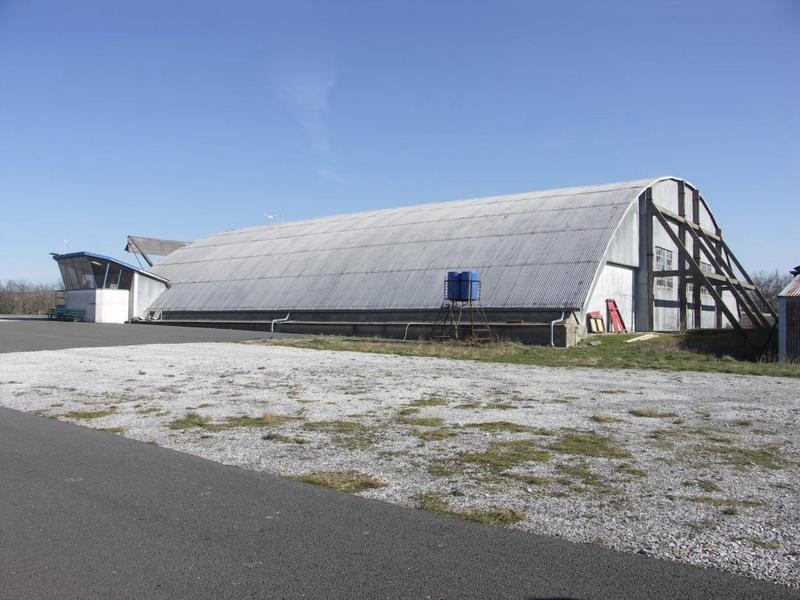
26 335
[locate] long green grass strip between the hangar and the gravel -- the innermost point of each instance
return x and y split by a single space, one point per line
668 352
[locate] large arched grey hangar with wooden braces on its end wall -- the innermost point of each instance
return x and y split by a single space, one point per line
545 259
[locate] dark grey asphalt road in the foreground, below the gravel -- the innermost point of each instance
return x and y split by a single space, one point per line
87 514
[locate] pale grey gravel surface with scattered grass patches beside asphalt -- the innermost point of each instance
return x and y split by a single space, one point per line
699 468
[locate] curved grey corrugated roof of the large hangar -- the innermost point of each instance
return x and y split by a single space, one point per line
539 250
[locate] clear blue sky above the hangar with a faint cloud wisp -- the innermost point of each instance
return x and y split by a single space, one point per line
179 119
